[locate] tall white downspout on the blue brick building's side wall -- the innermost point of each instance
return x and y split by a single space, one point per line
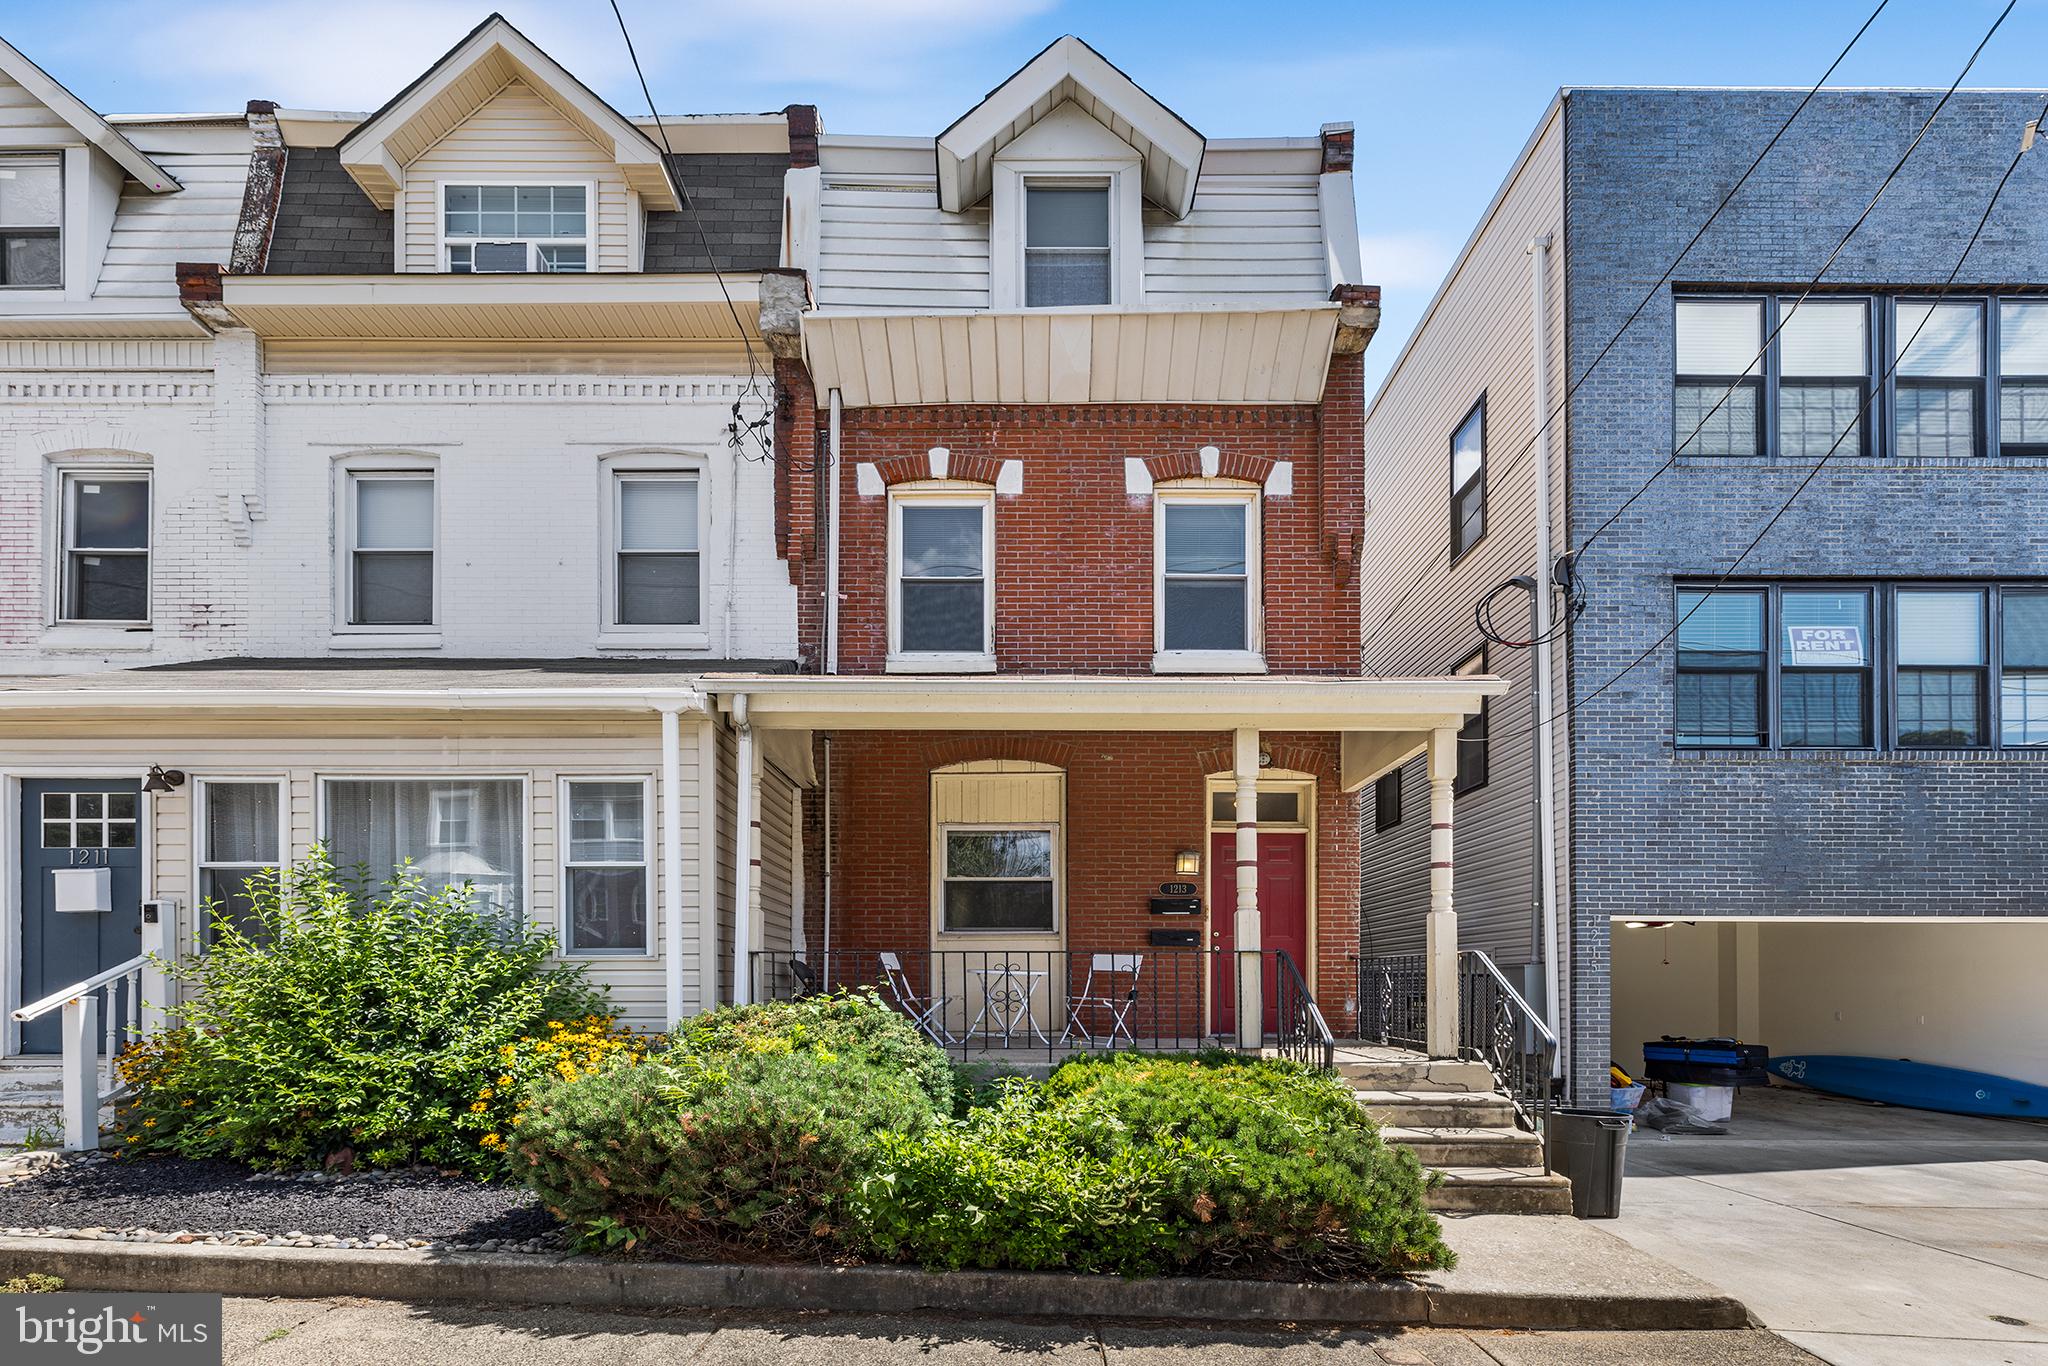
1541 736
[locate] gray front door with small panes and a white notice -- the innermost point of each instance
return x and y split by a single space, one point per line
81 828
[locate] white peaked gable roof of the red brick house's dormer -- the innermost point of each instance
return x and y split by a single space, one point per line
1070 73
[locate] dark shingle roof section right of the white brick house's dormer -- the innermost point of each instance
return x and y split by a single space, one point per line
736 200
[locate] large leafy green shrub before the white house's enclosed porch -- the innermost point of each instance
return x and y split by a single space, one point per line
355 1027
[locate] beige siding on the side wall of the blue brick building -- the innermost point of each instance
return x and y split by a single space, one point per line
1476 341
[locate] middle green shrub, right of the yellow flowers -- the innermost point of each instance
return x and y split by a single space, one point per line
749 1134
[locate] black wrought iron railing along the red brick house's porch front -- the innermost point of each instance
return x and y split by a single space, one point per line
1025 1005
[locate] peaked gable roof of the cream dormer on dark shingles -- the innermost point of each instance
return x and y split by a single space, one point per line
493 58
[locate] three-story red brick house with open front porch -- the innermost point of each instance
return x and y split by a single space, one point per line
1070 484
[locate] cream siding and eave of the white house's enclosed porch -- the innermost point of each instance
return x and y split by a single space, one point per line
636 986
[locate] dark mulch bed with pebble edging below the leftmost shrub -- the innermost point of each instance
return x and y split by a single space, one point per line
183 1201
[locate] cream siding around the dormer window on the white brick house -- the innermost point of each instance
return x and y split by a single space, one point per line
517 136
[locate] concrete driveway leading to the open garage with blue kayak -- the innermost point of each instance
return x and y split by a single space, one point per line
1865 1234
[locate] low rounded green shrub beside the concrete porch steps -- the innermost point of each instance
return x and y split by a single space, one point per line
1152 1164
